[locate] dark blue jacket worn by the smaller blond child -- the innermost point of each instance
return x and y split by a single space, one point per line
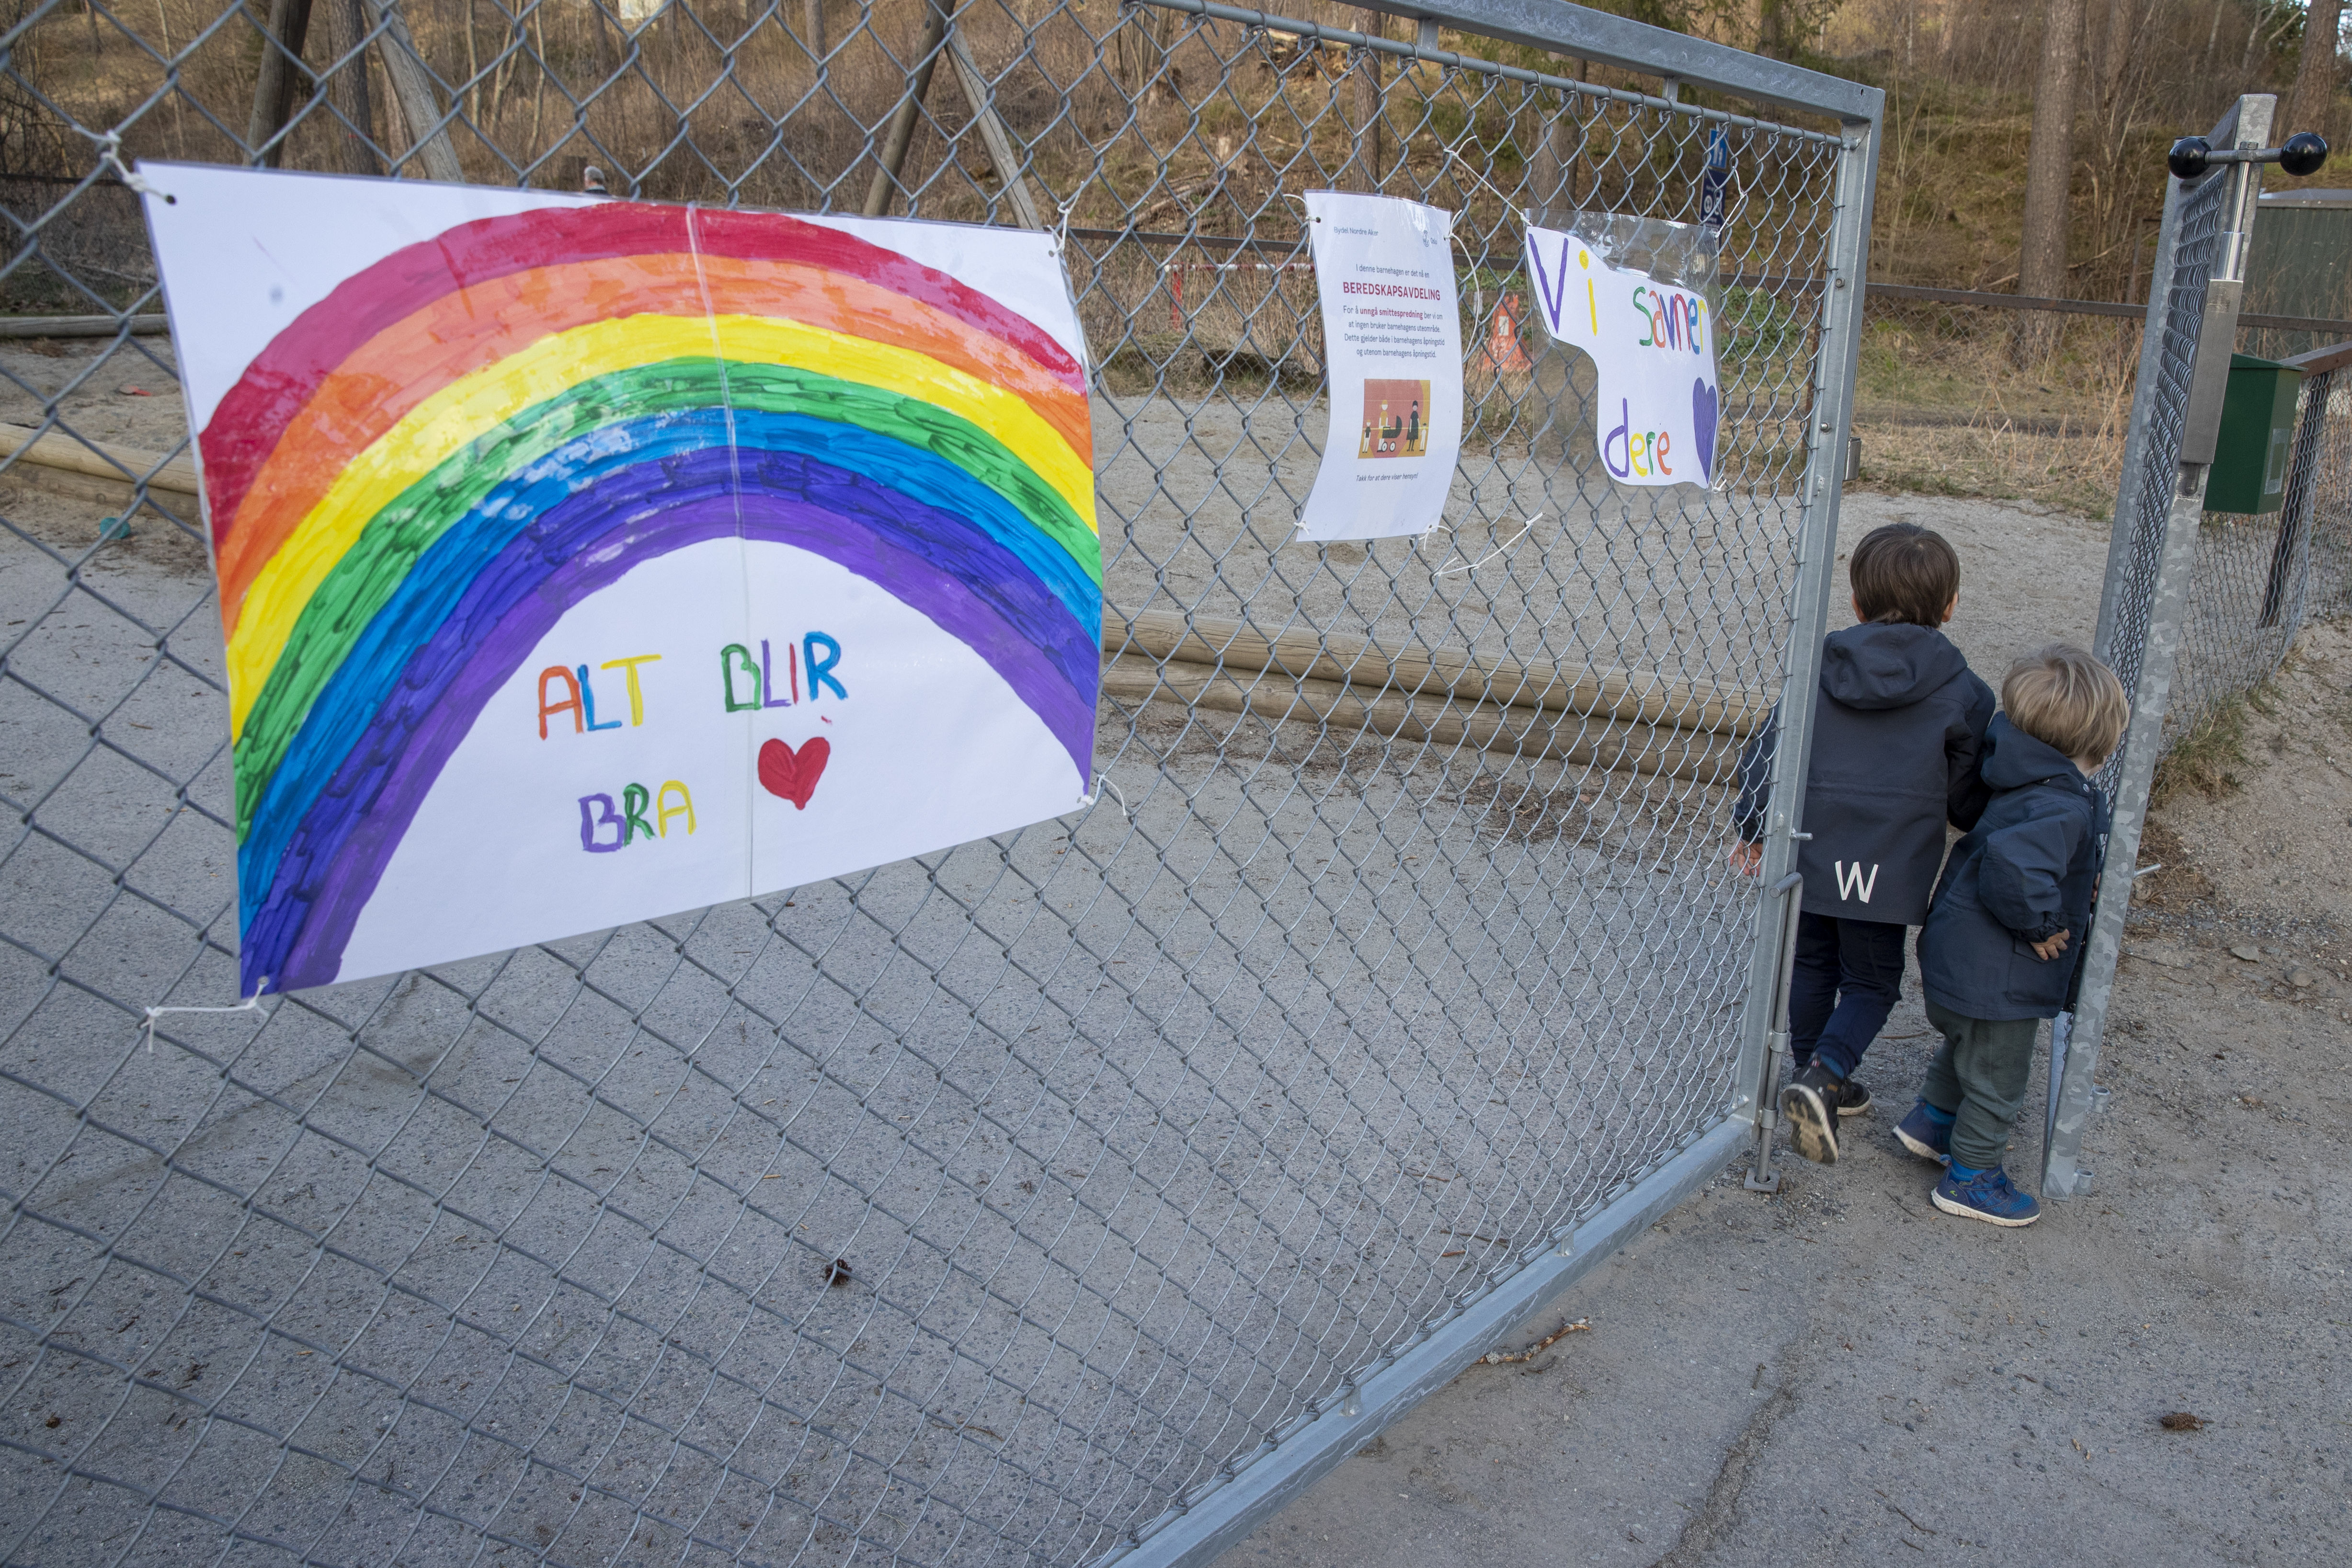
2026 871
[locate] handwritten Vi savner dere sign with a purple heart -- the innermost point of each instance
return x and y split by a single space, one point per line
1655 349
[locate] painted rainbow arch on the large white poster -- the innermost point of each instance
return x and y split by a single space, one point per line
415 481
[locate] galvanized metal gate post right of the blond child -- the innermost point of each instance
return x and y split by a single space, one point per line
2170 443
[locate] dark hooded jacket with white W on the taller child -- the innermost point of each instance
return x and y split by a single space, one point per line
1897 730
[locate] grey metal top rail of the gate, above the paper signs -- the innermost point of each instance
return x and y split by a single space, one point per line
1648 51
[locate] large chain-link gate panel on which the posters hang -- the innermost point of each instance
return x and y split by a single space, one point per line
1060 1193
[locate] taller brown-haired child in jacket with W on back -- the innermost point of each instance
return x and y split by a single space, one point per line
1897 725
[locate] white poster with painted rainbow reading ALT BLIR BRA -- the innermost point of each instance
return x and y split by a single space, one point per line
594 561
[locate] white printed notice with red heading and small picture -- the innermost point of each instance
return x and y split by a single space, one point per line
1396 366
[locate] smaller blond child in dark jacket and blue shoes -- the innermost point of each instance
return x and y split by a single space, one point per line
2012 904
